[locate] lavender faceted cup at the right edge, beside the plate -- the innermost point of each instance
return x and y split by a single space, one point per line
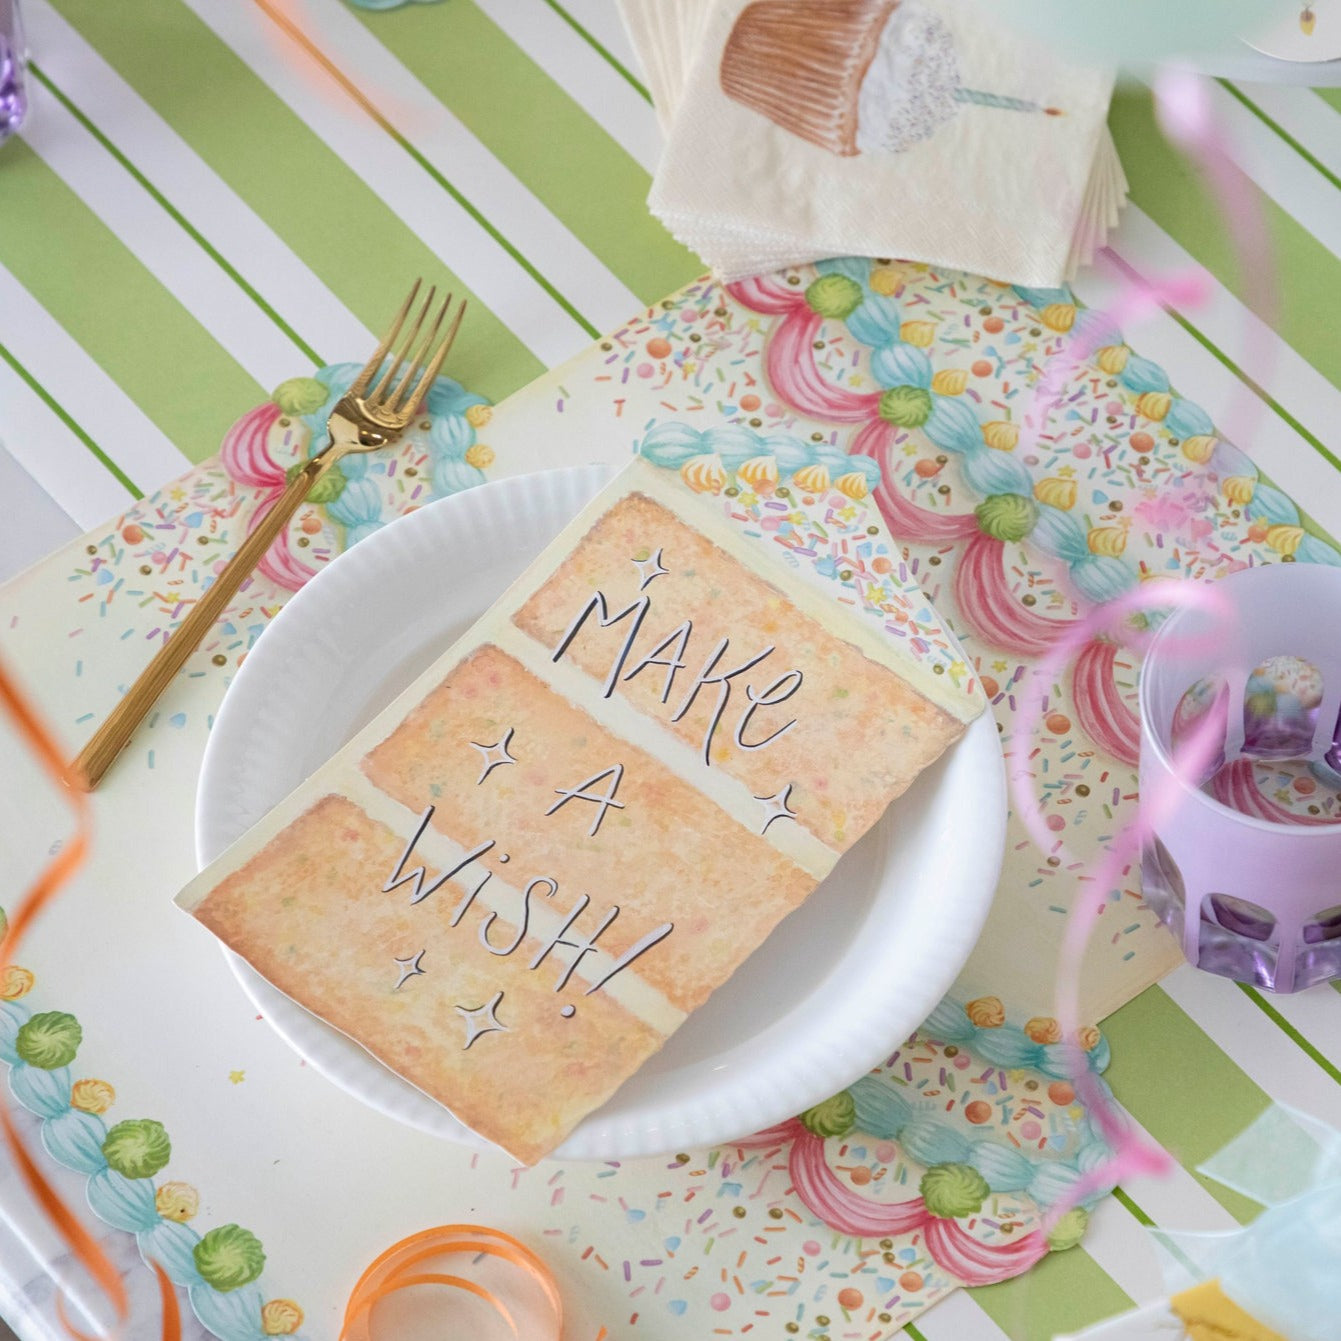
1250 898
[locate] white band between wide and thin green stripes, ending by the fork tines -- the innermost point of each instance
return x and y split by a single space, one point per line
196 191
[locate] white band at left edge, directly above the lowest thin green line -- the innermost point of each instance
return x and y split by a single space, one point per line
88 394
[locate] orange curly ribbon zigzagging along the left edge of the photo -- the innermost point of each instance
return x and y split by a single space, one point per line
72 856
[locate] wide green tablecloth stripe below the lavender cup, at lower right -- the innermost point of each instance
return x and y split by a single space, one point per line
1181 1087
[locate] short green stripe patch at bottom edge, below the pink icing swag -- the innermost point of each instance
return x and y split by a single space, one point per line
1067 1292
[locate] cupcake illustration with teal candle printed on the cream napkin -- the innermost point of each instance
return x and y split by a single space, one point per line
854 77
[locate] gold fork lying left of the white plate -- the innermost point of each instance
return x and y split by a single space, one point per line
363 422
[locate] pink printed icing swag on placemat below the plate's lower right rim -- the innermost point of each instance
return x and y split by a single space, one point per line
841 1209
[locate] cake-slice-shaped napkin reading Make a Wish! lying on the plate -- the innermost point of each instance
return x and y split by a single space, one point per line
521 879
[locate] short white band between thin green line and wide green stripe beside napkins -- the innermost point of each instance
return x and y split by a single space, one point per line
584 74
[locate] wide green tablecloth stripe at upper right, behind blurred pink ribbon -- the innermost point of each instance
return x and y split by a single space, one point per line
1307 277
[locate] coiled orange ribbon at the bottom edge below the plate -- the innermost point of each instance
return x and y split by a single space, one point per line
396 1269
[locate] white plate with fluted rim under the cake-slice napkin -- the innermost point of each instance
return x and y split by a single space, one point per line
840 984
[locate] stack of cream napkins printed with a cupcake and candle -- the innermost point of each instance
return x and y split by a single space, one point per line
919 129
